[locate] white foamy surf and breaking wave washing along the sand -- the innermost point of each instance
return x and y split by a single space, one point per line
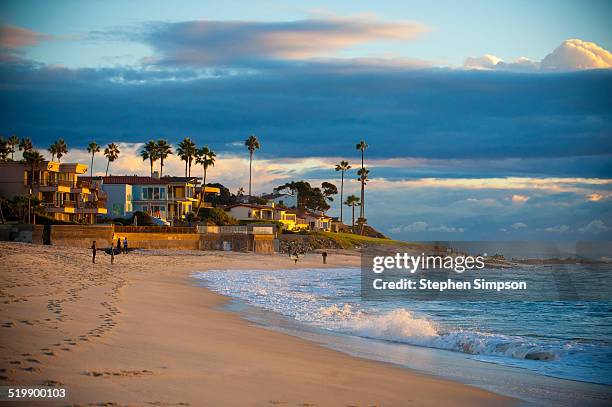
323 299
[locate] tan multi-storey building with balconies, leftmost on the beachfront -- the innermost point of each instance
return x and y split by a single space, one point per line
57 186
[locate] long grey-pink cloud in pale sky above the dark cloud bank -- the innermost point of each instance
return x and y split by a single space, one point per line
214 43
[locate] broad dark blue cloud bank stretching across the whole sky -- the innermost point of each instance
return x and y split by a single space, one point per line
297 111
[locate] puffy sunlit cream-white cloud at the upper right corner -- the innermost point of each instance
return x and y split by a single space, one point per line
571 55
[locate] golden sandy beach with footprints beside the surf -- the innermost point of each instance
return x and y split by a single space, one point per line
141 332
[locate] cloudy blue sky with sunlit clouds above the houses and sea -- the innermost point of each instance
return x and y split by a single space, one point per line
486 120
